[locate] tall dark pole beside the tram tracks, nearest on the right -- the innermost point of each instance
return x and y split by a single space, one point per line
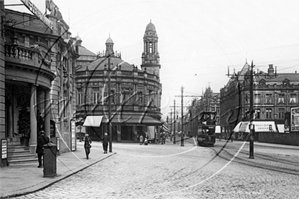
251 126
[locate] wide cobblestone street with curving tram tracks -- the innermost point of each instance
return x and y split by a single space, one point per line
171 171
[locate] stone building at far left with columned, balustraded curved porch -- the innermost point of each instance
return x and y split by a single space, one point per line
37 61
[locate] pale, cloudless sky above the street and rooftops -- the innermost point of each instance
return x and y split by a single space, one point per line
198 40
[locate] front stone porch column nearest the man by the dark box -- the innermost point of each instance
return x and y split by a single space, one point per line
33 119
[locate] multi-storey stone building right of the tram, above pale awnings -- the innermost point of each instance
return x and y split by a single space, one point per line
274 94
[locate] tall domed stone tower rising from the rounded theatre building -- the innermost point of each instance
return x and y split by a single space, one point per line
150 56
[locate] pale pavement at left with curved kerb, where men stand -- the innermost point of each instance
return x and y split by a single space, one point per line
22 179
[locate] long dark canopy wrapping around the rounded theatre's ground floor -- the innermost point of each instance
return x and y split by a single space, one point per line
133 119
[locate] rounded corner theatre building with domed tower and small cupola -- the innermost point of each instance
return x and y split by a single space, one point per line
135 94
